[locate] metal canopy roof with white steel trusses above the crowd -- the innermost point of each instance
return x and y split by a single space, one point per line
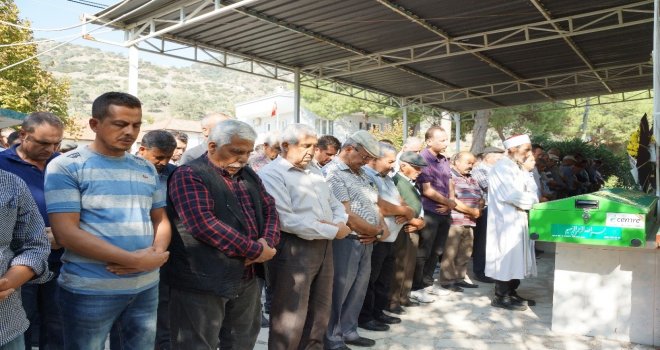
435 55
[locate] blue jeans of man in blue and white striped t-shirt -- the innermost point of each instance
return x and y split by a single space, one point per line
89 319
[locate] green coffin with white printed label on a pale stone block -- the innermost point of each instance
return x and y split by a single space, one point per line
616 217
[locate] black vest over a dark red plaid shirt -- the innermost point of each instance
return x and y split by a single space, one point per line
195 265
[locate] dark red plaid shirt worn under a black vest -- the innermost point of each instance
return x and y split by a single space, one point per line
194 205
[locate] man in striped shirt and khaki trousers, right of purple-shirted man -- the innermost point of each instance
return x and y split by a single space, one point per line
458 248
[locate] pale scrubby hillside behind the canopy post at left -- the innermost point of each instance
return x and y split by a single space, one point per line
186 92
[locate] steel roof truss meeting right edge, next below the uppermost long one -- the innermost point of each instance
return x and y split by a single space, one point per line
580 78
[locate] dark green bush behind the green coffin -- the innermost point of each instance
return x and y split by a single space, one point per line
615 168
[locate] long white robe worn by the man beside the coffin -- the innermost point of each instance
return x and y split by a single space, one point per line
509 252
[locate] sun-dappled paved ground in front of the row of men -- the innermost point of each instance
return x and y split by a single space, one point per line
467 321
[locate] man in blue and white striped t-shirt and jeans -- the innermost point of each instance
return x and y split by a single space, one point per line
107 211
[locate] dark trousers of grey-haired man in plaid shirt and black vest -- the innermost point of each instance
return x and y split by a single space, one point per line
196 317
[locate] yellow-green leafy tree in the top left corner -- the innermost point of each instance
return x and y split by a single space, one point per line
26 87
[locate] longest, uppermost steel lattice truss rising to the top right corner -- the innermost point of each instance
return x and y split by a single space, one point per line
585 23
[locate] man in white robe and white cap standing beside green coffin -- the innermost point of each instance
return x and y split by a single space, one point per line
509 252
